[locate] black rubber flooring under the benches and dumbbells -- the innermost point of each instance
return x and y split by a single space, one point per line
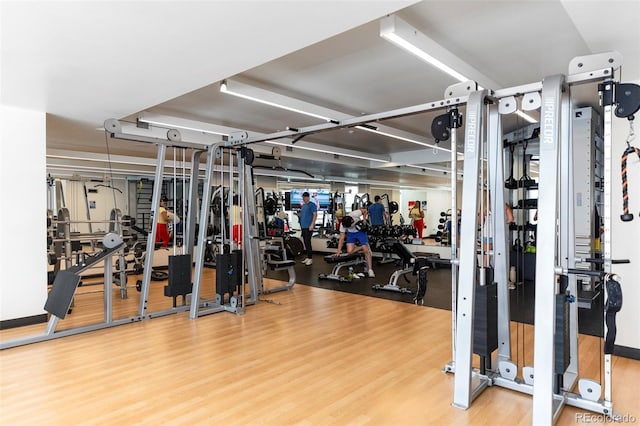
438 293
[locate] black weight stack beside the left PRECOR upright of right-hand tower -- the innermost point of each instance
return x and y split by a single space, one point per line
485 330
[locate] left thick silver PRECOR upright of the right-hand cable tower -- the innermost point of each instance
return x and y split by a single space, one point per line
462 391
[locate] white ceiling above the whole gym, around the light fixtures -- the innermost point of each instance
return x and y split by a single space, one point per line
84 62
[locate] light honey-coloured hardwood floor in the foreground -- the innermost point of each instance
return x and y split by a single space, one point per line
312 357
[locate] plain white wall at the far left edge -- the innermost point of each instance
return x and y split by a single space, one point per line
23 266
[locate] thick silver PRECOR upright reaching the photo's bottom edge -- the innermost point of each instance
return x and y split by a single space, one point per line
544 314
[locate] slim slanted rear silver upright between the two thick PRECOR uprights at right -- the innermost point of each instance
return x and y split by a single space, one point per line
500 247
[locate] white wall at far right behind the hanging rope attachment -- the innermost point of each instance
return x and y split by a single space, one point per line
626 235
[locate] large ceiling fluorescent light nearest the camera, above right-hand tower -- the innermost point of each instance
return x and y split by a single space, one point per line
403 35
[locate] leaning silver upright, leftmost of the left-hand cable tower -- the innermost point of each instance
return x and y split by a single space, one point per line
151 238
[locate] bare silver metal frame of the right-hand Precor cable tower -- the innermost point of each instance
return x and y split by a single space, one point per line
555 241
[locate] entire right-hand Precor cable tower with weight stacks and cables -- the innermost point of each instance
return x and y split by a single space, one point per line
481 315
